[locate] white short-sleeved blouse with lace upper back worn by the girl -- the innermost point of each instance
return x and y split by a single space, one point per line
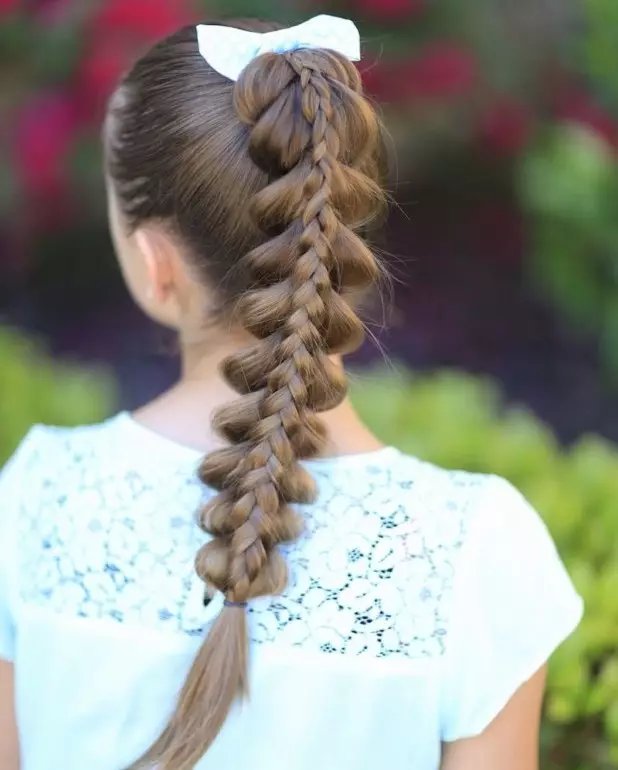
420 600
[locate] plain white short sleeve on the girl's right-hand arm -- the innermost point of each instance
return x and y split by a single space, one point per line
513 604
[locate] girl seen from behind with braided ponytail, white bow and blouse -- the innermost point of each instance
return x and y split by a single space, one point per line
396 615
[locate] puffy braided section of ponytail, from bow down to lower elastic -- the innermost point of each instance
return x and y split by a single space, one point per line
298 315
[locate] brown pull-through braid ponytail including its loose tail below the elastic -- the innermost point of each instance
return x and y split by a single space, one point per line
315 137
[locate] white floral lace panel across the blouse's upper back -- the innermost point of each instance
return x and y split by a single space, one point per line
107 531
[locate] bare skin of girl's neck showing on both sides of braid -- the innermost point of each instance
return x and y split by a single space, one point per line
184 413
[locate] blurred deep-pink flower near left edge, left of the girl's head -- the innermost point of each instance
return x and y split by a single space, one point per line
45 129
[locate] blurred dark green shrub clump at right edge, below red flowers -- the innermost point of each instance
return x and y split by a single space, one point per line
569 184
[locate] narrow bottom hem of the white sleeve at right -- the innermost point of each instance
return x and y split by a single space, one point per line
520 676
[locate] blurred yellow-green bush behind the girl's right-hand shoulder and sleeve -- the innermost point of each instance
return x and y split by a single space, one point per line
458 421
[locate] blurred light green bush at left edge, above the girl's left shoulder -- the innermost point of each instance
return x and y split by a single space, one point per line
36 389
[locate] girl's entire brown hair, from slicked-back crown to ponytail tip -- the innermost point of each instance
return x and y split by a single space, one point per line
264 181
